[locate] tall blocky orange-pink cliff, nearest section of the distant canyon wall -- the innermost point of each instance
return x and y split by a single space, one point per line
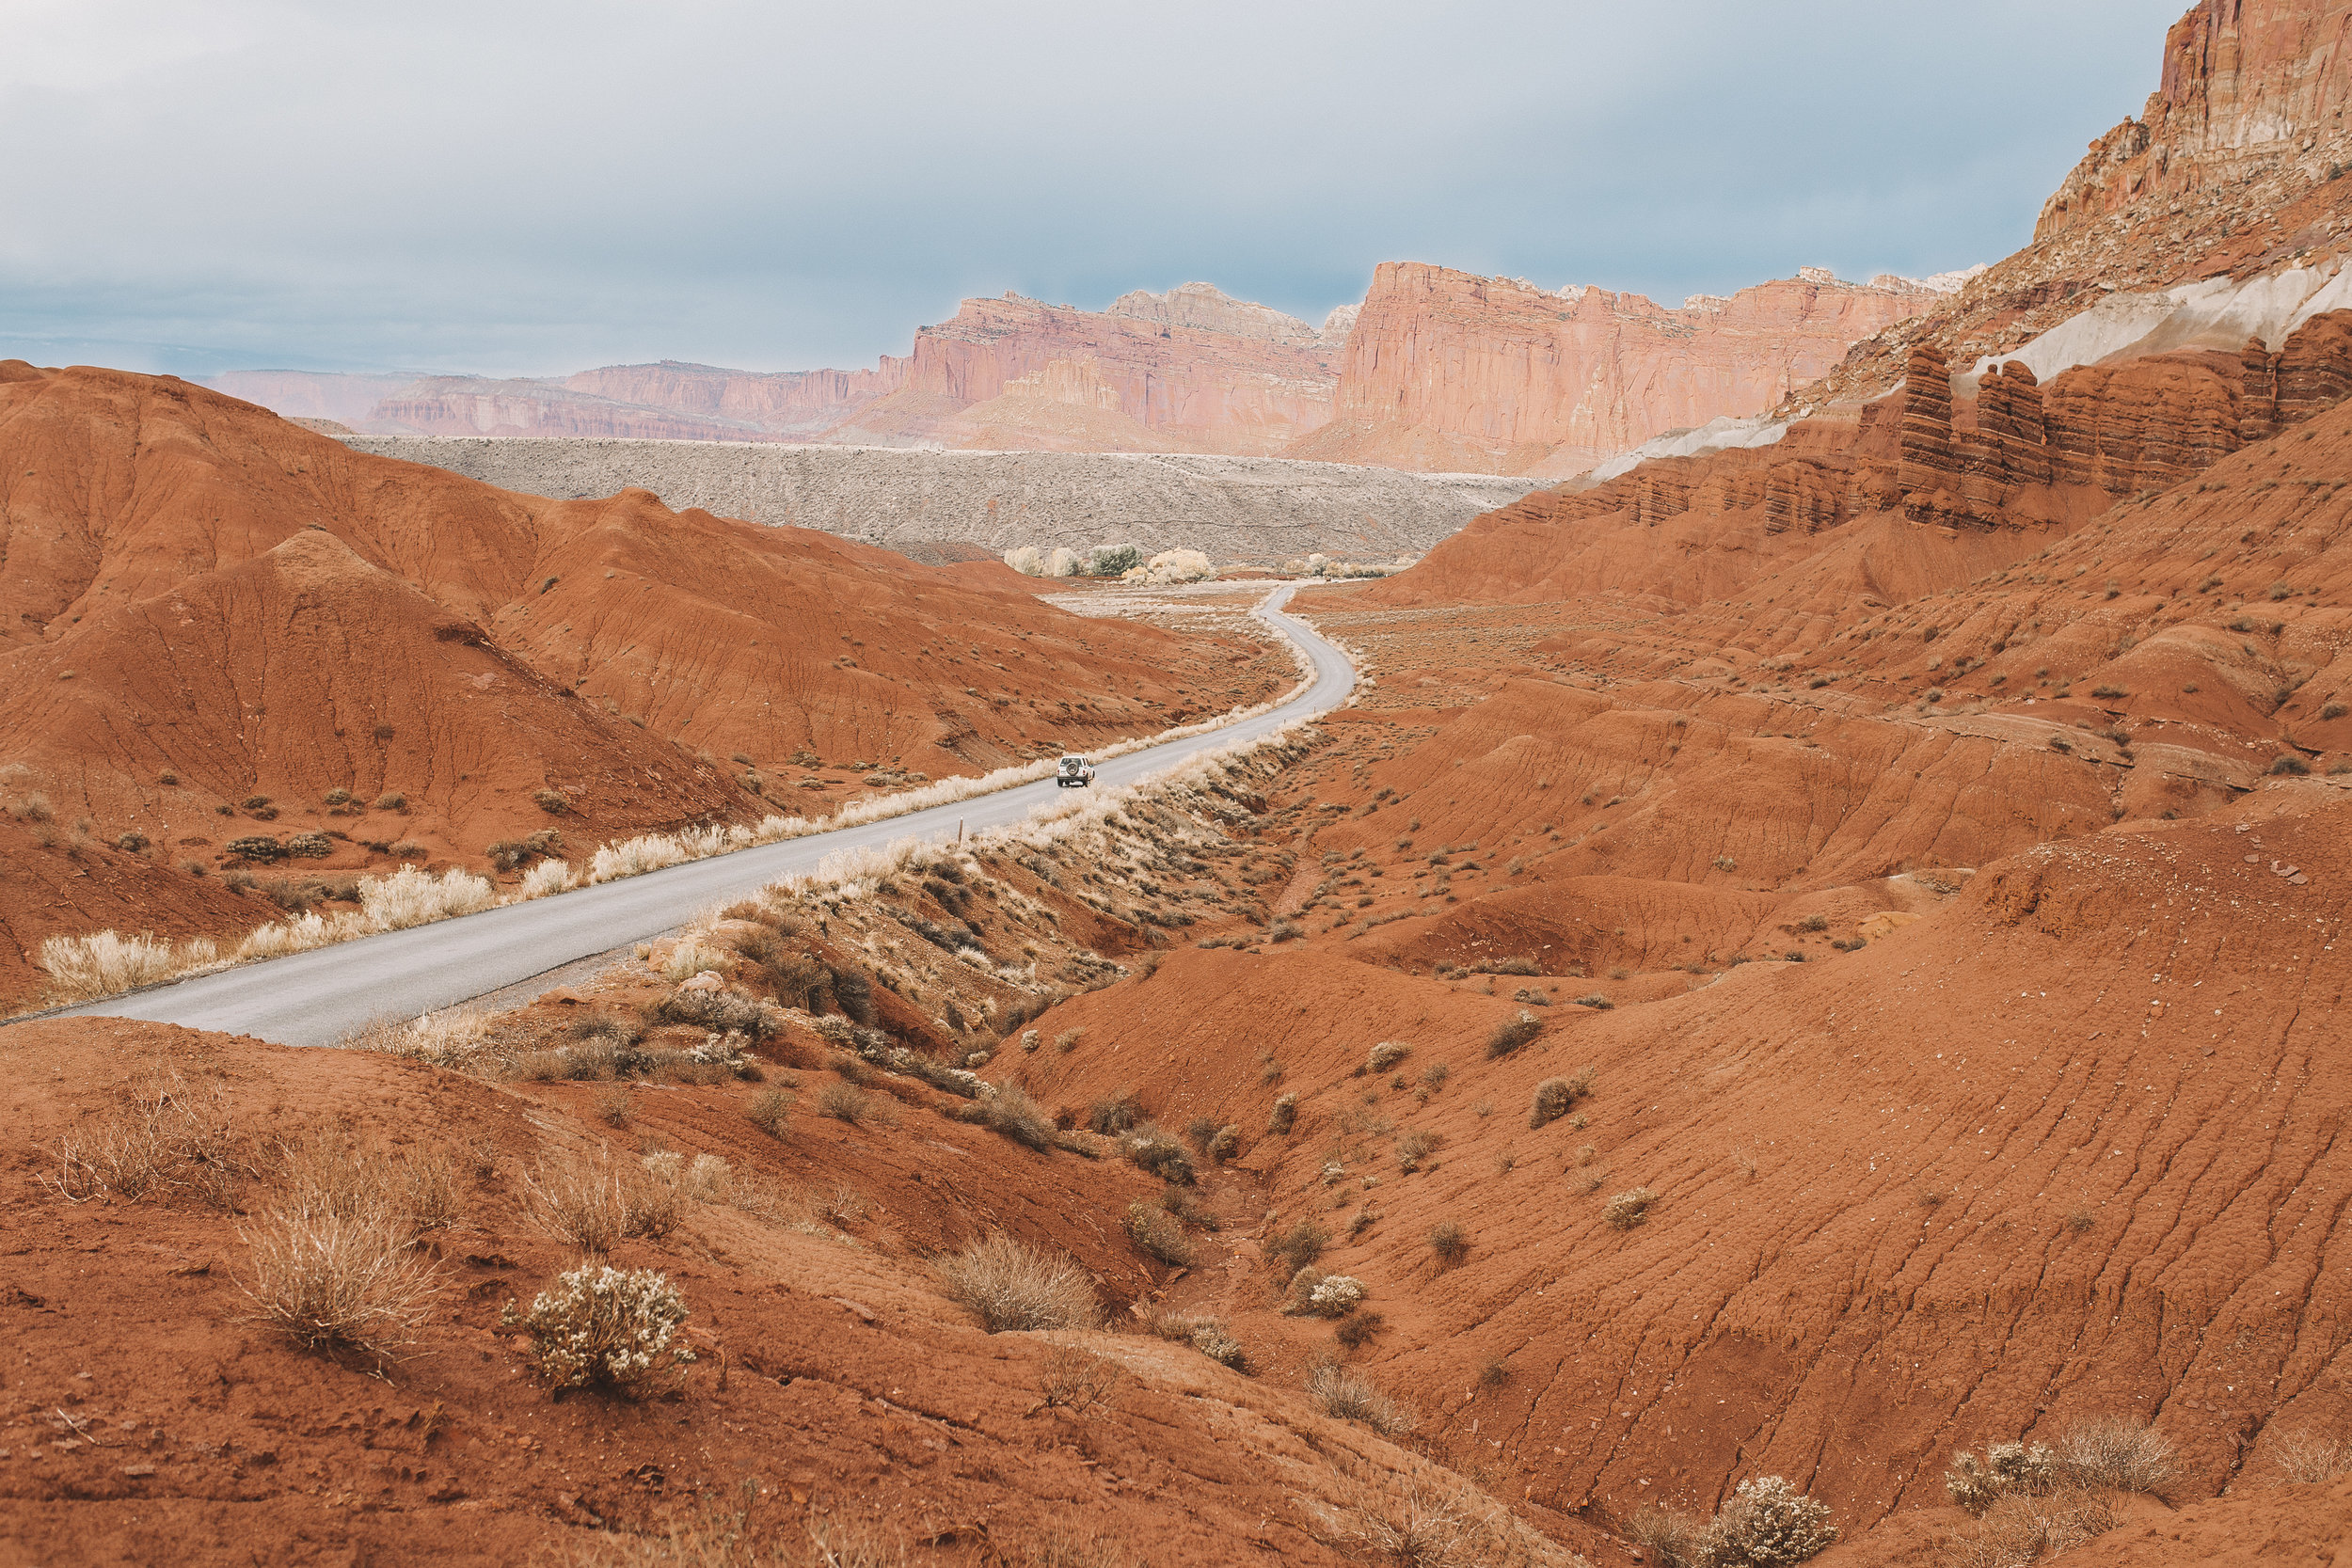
1495 375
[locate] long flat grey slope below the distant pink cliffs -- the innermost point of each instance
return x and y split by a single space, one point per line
1234 509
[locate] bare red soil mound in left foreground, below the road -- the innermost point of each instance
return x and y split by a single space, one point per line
152 1419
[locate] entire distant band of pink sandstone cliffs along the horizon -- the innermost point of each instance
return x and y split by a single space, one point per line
1436 373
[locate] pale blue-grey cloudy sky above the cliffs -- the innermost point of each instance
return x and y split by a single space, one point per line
537 189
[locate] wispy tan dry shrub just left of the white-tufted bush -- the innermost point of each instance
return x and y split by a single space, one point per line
333 1278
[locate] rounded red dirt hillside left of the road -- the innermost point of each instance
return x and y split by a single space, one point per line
203 605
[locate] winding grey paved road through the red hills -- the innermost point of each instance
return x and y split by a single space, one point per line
316 998
